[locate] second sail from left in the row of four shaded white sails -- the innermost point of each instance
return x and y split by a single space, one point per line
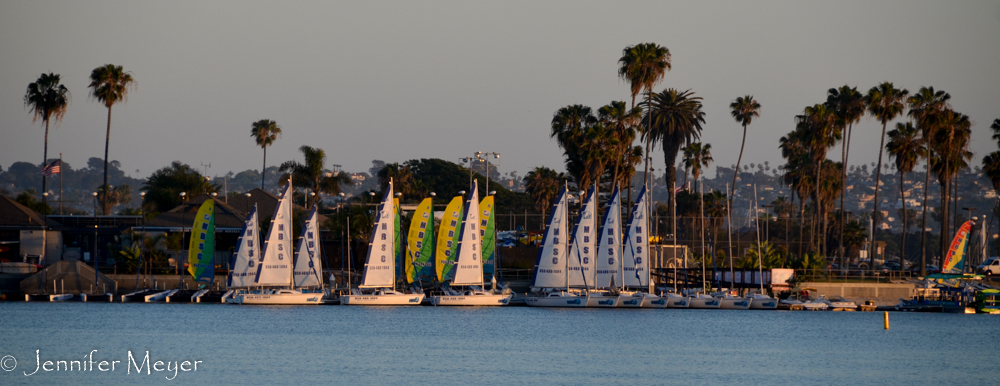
580 264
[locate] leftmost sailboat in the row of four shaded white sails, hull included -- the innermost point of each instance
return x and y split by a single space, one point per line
549 285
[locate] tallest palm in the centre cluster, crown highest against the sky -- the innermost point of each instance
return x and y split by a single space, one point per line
643 66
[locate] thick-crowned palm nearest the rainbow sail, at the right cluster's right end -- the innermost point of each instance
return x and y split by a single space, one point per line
950 148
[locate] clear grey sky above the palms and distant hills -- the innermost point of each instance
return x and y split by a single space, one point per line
437 79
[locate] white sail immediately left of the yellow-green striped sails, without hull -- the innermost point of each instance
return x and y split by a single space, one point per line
380 264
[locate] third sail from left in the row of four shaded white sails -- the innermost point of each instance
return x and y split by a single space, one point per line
609 247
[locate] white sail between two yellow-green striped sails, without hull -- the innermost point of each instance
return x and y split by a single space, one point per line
469 264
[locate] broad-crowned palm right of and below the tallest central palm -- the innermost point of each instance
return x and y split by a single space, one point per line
676 118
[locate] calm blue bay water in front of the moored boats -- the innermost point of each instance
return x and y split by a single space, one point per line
514 345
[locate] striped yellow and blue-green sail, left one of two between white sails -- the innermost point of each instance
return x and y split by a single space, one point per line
420 244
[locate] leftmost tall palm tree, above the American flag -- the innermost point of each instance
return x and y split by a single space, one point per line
46 98
